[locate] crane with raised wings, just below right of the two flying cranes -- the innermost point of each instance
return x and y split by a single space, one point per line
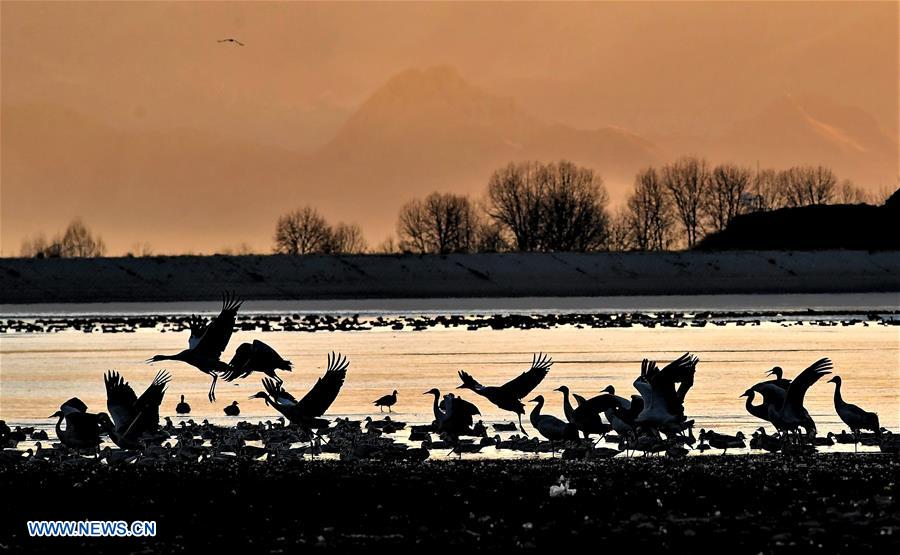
314 404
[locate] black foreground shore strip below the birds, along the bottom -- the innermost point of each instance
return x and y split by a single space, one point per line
759 504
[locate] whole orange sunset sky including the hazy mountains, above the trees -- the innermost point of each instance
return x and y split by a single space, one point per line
134 118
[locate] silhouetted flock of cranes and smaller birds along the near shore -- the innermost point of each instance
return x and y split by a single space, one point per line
653 420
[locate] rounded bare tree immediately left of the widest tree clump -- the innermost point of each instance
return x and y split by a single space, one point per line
439 223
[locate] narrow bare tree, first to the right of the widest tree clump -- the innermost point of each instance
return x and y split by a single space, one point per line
650 217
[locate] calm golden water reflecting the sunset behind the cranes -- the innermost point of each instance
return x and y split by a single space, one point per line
39 371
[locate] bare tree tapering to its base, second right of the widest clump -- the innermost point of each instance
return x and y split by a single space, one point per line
686 181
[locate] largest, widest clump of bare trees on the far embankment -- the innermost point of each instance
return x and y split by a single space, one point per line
549 207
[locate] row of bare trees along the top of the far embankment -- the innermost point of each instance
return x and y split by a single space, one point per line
545 207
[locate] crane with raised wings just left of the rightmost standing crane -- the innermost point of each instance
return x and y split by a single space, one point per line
785 408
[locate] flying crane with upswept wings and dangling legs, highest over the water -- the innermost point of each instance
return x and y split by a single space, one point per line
207 342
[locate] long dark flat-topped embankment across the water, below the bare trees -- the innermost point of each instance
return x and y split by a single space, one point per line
275 277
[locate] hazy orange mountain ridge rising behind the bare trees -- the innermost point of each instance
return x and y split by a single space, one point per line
423 130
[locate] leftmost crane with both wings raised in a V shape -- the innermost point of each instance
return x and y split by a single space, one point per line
133 416
